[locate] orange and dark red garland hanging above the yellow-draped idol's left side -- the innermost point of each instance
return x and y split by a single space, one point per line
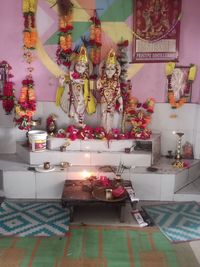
64 51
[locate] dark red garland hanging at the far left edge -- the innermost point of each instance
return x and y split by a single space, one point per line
6 86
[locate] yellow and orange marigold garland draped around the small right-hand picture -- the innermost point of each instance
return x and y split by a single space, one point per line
169 68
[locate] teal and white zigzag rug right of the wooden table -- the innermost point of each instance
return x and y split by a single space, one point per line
178 221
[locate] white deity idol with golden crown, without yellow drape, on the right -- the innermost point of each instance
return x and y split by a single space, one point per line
110 91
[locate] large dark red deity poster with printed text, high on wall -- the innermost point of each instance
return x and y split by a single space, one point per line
156 30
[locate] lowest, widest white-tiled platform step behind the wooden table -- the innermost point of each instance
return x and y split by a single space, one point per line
167 184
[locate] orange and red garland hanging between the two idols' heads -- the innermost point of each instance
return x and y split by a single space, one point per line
95 43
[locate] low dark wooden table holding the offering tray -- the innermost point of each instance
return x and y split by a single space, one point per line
79 193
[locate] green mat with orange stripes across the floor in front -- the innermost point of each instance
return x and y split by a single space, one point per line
97 246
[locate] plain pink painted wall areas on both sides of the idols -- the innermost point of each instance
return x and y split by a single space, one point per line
148 82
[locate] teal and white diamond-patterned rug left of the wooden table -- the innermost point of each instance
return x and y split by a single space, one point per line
33 219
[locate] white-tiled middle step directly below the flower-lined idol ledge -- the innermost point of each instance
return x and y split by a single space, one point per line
93 158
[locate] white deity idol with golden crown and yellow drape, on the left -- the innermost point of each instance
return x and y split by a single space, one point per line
77 98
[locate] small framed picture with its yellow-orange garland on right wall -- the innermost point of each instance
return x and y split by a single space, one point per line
179 82
